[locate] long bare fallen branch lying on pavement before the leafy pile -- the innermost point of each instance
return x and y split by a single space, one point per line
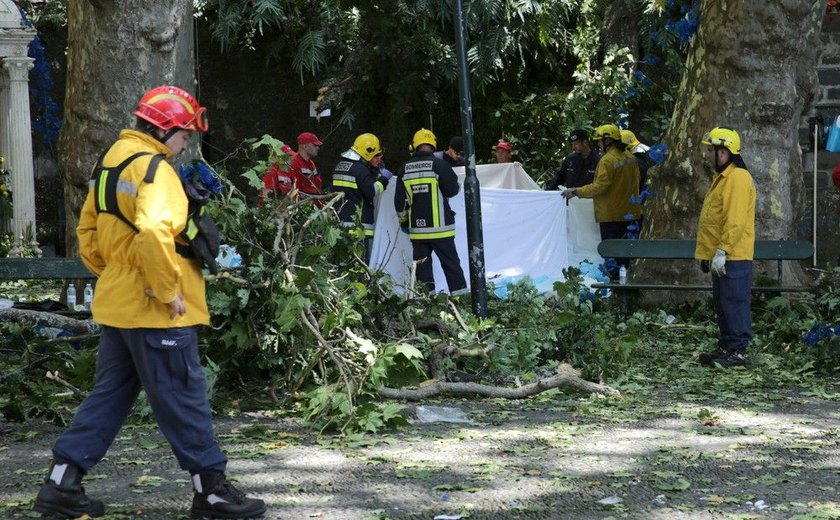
566 377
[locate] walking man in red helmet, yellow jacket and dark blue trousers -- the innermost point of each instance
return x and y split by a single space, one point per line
149 300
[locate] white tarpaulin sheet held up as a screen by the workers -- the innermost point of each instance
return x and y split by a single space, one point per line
525 230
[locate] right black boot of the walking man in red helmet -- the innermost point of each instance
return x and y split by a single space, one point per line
215 497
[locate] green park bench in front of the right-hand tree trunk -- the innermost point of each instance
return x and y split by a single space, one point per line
668 249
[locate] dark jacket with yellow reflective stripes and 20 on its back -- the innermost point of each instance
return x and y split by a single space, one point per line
426 183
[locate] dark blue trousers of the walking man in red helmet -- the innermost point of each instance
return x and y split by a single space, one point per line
165 363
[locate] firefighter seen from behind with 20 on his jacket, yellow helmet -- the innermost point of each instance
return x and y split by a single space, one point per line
426 183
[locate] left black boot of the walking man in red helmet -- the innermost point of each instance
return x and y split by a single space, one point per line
62 494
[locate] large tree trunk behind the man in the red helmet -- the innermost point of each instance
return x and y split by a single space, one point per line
116 51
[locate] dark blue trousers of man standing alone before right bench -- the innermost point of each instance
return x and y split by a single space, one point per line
731 294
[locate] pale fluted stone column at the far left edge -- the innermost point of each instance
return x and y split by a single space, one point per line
19 161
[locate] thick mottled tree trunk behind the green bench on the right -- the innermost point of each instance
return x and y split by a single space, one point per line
751 67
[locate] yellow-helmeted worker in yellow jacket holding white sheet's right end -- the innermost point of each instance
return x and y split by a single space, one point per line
616 183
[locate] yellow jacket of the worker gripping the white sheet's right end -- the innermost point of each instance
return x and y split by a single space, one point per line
616 180
